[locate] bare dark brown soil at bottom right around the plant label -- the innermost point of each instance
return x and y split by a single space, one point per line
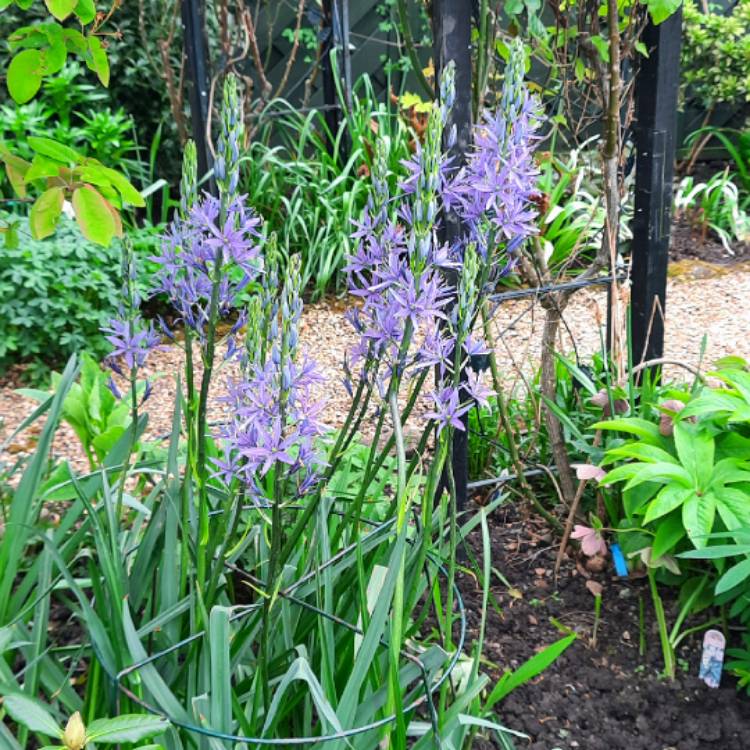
605 697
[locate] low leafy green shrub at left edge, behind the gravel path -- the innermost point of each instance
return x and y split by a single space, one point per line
54 296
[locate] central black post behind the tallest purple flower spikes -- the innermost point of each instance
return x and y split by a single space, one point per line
451 23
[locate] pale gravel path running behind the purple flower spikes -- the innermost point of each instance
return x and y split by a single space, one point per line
701 300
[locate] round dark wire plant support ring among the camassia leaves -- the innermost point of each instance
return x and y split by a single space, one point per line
426 698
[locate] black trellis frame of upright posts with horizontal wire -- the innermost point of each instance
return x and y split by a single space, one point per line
656 118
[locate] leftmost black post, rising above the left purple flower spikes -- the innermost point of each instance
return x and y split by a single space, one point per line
193 25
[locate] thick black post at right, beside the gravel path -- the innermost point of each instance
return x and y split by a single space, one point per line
656 124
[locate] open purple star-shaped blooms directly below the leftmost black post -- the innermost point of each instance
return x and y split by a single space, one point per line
188 256
